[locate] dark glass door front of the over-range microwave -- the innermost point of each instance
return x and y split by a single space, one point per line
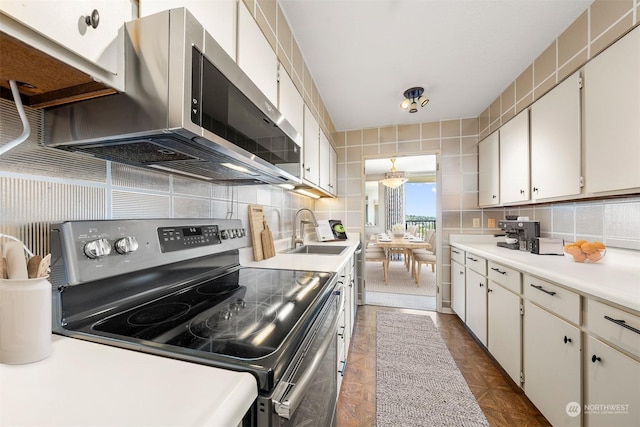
228 113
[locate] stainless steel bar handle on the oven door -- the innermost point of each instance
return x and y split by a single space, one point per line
286 406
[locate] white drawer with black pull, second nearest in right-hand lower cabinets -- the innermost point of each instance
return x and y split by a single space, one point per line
554 298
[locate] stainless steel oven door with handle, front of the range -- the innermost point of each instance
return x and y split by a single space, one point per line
307 393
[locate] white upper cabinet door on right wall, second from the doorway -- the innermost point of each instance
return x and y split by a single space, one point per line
514 159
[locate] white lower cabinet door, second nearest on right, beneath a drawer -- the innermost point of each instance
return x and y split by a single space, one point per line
552 366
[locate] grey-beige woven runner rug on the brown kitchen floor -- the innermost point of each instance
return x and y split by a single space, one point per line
417 380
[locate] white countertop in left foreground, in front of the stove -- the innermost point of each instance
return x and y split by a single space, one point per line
88 384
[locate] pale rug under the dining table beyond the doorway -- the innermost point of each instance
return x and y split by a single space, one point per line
400 280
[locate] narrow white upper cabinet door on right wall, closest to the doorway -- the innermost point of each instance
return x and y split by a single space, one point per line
489 171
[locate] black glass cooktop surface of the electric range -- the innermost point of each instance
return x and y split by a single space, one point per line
245 314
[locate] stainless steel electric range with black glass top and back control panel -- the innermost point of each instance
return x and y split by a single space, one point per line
175 288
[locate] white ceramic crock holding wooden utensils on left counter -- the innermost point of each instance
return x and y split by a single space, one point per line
25 320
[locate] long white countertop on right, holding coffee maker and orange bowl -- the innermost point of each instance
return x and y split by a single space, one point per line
615 279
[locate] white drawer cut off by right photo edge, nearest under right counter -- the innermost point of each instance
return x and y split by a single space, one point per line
614 325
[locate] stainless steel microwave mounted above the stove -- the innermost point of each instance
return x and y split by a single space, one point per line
188 109
